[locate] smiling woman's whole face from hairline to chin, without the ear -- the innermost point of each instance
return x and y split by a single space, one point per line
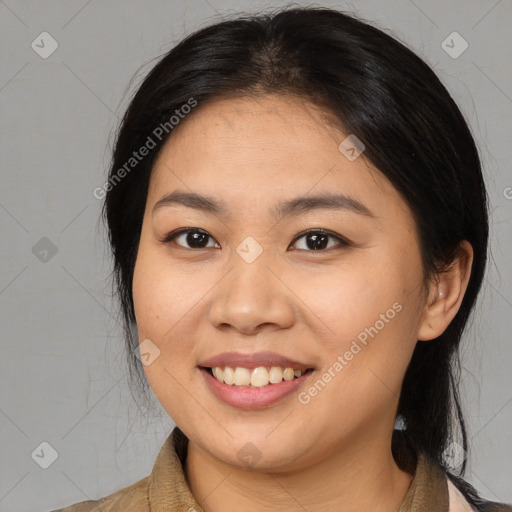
247 280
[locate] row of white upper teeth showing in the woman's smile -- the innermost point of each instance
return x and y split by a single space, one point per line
258 377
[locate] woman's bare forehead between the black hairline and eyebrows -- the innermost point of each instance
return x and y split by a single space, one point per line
254 151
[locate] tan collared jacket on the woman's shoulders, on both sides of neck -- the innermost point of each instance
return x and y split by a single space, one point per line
166 489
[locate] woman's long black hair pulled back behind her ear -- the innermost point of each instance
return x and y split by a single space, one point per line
377 89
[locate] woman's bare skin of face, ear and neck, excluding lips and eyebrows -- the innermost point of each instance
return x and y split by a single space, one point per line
333 453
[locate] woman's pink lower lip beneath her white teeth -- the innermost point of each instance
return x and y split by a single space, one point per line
254 397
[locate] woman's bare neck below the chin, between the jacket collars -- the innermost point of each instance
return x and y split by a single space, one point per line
359 477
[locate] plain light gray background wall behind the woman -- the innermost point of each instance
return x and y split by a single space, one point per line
63 375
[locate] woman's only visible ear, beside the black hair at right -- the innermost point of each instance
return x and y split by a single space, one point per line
445 294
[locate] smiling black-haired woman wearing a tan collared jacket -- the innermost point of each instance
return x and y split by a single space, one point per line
299 227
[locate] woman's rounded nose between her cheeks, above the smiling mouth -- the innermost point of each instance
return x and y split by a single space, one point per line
251 297
